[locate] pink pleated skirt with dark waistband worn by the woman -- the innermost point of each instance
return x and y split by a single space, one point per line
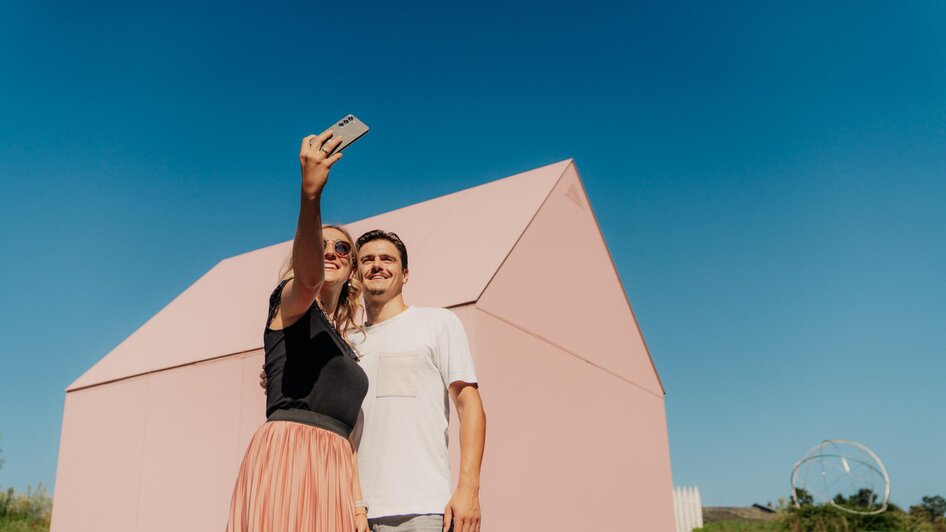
294 477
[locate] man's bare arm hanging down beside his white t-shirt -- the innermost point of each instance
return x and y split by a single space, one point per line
463 510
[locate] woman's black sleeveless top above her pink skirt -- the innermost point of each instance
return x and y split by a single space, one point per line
309 366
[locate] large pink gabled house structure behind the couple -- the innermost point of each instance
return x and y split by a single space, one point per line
153 433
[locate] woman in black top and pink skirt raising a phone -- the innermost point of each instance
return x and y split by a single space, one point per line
300 471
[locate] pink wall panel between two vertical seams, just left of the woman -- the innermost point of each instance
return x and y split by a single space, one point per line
191 454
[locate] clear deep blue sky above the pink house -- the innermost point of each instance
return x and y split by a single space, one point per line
770 181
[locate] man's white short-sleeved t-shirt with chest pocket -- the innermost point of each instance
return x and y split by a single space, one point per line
410 359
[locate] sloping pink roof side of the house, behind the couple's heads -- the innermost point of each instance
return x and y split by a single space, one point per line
456 242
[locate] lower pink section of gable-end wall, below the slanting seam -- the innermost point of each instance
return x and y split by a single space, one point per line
577 446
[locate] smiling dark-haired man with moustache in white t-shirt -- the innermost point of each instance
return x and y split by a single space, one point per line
415 358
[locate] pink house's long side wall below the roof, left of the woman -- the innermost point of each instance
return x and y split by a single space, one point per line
158 452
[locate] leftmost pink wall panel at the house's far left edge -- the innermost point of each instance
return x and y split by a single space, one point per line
99 470
